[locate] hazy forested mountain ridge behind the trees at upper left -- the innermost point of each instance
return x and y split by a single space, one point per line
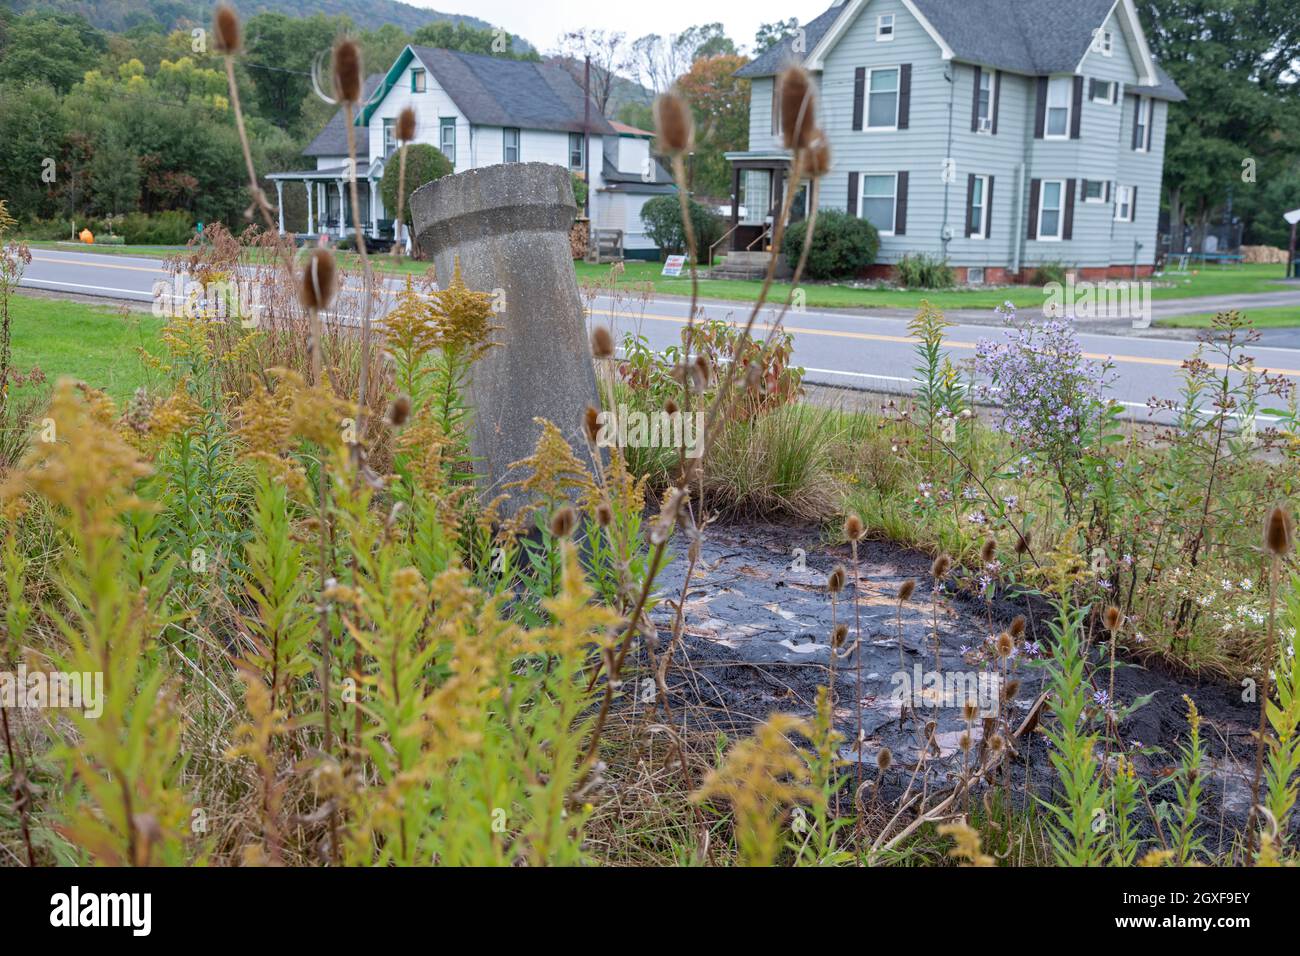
120 16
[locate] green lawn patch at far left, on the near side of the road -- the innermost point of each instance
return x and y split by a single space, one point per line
94 344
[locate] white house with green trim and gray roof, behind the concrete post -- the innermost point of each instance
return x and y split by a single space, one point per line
479 111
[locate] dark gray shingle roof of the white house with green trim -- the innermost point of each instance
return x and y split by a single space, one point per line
495 92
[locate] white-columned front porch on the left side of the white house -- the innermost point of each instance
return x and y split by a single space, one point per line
330 202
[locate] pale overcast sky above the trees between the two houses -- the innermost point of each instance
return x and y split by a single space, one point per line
543 21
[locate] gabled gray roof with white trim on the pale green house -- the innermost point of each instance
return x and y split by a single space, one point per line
1030 37
